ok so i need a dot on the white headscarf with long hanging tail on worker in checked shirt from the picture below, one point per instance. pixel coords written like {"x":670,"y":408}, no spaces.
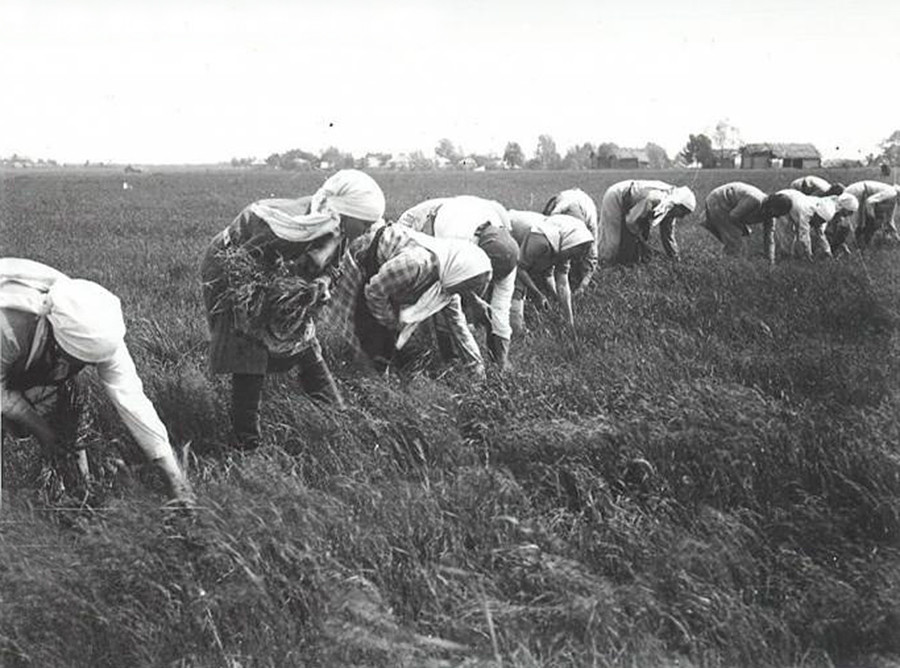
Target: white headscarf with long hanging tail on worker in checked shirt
{"x":458,"y":261}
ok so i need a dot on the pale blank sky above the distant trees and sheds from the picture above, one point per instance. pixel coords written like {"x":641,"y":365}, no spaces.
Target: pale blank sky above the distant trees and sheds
{"x":169,"y":81}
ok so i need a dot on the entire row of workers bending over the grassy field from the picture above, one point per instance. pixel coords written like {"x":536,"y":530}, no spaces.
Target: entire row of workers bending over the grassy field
{"x":284,"y":265}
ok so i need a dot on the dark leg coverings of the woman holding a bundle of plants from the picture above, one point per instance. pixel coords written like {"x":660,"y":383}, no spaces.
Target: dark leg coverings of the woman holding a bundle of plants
{"x":247,"y":388}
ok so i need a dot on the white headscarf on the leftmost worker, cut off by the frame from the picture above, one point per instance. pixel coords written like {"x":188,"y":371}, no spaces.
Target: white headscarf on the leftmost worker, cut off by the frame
{"x":86,"y":318}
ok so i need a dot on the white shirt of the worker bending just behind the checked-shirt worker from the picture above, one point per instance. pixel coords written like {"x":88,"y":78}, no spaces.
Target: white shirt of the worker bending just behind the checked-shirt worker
{"x":426,"y":218}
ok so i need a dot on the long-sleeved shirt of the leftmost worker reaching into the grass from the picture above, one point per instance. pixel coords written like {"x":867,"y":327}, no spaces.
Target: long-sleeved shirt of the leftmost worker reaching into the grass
{"x":117,"y":375}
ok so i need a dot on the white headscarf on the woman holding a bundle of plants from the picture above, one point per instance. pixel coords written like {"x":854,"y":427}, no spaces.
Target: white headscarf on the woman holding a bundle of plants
{"x":349,"y":192}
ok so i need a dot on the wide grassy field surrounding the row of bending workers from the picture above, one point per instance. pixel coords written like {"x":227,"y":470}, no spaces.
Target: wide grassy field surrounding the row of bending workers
{"x":440,"y":523}
